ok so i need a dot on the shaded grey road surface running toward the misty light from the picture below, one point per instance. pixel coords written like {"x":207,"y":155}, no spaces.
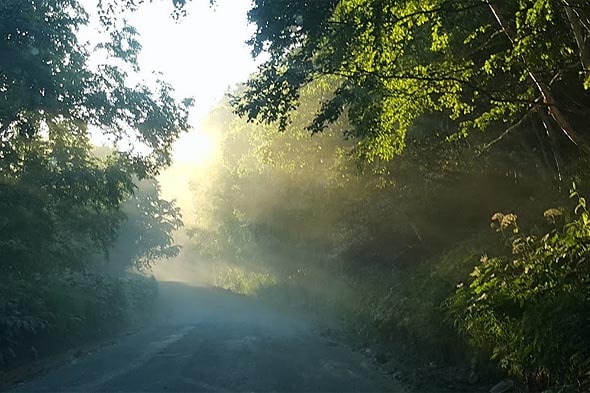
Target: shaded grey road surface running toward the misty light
{"x":210,"y":340}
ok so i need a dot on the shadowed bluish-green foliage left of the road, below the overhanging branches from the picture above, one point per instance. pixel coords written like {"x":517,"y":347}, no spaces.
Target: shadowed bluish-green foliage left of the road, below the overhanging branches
{"x":61,"y":207}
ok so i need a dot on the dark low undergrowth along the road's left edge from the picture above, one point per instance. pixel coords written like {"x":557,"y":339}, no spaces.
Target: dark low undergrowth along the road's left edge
{"x":46,"y":313}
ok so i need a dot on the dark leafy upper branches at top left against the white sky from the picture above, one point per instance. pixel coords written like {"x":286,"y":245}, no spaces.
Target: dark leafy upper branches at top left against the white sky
{"x":45,"y":78}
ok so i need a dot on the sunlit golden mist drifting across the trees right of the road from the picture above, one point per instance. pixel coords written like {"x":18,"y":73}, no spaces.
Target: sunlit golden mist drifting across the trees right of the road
{"x":291,"y":219}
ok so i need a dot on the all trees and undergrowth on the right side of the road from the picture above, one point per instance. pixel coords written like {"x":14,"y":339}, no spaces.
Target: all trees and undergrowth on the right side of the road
{"x":418,"y":169}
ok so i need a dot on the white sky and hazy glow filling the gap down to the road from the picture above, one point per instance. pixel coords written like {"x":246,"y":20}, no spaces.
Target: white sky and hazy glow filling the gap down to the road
{"x":203,"y":55}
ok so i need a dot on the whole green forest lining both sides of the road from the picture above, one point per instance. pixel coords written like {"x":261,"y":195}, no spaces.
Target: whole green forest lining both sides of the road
{"x":415,"y":170}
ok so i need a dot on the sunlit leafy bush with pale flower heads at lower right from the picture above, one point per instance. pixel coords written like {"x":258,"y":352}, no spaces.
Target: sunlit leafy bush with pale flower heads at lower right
{"x":529,"y":308}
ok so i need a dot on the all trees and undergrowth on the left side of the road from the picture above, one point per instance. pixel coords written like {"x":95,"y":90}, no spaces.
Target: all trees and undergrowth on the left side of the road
{"x":79,"y":224}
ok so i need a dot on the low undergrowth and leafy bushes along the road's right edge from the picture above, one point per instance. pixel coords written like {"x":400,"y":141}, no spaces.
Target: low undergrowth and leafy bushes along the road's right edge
{"x":525,"y":311}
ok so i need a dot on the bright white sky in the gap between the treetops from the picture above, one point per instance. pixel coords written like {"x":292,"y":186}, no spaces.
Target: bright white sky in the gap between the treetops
{"x":201,"y":56}
